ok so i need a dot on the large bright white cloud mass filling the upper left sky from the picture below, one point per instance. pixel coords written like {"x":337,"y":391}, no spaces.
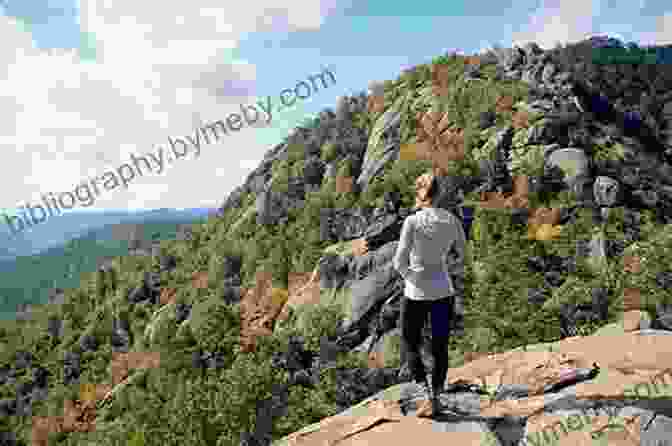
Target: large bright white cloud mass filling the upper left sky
{"x":159,"y":71}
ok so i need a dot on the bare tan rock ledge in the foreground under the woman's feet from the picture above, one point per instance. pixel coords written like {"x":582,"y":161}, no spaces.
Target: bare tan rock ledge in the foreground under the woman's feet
{"x":576,"y":391}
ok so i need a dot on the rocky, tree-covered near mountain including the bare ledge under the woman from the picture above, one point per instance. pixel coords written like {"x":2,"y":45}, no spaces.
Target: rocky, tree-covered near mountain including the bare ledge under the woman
{"x":276,"y":322}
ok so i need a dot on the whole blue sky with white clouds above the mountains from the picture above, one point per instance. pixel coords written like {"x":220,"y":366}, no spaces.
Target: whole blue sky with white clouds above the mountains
{"x":93,"y":82}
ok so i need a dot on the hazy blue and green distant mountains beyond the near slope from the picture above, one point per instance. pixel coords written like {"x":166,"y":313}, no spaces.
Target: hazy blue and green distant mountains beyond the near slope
{"x":43,"y":259}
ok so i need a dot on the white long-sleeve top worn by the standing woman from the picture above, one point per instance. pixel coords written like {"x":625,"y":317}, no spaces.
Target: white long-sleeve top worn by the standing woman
{"x":431,"y":251}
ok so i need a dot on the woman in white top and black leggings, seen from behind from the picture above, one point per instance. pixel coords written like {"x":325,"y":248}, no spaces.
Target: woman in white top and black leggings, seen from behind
{"x":430,"y":256}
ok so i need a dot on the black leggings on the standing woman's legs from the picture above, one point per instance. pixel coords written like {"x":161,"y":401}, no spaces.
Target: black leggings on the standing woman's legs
{"x":413,"y":317}
